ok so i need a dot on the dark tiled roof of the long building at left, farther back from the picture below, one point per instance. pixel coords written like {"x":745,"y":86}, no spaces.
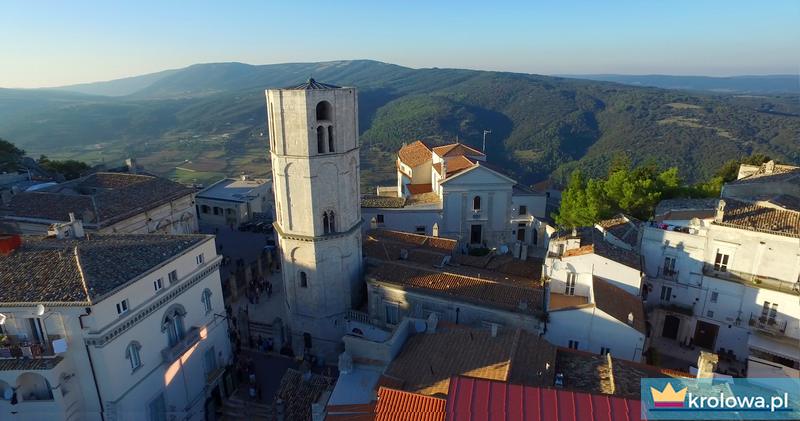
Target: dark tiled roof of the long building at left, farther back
{"x":98,"y":199}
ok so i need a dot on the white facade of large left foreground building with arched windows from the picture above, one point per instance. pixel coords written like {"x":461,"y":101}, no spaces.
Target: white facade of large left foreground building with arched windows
{"x":97,"y":371}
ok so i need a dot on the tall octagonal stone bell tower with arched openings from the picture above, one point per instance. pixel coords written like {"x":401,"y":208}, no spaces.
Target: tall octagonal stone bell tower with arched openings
{"x":313,"y":132}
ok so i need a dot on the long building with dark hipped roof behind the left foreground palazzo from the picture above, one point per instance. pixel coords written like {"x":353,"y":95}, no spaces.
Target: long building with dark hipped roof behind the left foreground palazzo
{"x":107,"y":203}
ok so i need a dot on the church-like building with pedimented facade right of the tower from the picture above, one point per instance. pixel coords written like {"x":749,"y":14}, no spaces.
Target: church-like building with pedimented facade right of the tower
{"x":450,"y":191}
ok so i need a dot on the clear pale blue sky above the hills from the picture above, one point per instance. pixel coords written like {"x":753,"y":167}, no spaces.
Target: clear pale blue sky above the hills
{"x":50,"y":43}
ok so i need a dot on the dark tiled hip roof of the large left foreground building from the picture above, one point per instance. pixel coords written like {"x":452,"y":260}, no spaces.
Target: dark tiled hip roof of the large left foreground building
{"x":51,"y":270}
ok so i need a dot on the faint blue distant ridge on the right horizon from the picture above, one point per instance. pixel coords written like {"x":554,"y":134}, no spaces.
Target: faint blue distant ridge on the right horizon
{"x":766,"y":84}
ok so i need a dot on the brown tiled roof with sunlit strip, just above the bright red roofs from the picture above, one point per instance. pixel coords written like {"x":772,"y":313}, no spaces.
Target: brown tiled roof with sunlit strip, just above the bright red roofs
{"x":428,"y":361}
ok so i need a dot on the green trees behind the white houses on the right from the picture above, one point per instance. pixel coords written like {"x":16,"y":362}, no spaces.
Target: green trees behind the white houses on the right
{"x":635,"y":191}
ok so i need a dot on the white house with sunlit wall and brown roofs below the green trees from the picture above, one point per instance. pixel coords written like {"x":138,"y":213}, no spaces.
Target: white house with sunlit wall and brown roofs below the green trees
{"x":594,"y":278}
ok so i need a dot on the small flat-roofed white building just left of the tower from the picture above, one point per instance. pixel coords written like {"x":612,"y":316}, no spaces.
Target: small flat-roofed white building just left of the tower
{"x":234,"y":201}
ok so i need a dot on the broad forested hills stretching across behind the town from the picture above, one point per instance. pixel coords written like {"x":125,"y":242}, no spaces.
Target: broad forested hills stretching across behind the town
{"x":208,"y":120}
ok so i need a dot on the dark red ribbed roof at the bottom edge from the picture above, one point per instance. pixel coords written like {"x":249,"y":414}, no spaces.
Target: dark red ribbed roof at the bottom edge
{"x":478,"y":399}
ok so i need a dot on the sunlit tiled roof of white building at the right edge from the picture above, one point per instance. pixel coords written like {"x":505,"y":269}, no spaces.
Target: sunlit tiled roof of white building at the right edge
{"x":753,"y":217}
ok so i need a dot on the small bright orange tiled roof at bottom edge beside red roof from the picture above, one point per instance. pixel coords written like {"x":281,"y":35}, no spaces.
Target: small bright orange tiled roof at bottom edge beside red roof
{"x":400,"y":405}
